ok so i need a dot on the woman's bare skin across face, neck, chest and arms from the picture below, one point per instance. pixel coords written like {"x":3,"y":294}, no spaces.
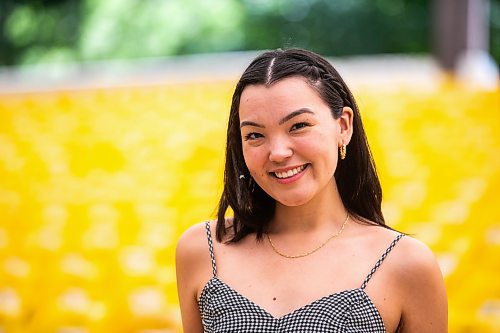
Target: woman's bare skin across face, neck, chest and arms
{"x":284,"y":126}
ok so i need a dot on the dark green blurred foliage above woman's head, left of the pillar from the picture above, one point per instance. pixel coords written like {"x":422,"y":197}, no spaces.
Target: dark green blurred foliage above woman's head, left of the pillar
{"x":341,"y":27}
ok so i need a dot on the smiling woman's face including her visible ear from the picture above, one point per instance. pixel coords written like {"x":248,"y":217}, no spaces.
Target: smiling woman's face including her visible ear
{"x":290,"y":139}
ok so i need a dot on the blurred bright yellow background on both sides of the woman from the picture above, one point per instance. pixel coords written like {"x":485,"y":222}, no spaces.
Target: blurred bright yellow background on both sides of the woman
{"x":97,"y":184}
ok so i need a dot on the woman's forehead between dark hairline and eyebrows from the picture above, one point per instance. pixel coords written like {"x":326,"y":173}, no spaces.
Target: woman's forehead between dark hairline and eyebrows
{"x":286,"y":95}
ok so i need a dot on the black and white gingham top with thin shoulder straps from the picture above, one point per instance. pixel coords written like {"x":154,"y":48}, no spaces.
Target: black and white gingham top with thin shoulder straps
{"x":351,"y":311}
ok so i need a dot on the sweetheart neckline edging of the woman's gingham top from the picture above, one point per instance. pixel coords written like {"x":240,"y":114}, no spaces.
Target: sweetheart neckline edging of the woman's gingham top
{"x":308,"y":305}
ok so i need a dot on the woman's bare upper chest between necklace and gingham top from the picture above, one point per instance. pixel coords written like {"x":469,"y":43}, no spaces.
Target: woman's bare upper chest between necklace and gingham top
{"x":281,"y":285}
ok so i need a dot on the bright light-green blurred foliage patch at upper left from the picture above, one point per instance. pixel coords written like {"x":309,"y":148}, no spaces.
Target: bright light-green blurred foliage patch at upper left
{"x":131,"y":28}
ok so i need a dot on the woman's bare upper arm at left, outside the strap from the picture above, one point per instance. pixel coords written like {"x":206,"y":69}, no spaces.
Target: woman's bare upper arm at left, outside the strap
{"x":192,"y":262}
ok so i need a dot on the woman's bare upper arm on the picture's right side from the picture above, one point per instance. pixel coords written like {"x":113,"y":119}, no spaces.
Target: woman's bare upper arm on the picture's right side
{"x":424,"y":306}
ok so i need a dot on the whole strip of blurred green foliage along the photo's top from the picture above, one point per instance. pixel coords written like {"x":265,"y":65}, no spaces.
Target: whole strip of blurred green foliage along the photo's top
{"x":40,"y":31}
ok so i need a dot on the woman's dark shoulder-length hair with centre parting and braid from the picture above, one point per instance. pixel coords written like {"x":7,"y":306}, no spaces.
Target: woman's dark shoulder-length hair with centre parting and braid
{"x":356,"y":176}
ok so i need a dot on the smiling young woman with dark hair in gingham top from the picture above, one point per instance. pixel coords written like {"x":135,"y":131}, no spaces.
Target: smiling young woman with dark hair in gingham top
{"x":307,"y":248}
